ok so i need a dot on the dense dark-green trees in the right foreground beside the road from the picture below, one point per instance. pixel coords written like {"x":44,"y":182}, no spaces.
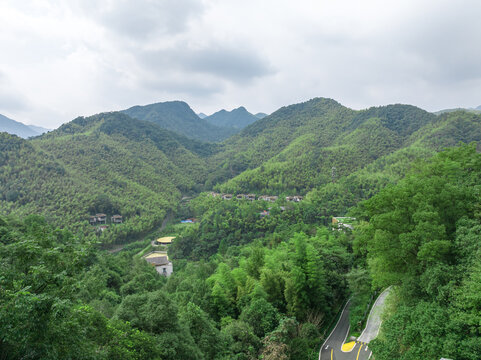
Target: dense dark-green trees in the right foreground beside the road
{"x":423,"y":238}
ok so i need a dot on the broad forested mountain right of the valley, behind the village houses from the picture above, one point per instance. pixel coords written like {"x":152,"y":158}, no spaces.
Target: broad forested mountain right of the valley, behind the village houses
{"x":324,"y":146}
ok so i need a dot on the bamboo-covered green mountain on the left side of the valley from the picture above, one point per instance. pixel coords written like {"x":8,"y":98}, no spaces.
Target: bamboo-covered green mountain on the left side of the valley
{"x":107,"y":163}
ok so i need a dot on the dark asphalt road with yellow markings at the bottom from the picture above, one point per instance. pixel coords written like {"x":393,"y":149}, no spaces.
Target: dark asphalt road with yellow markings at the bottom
{"x":331,"y":349}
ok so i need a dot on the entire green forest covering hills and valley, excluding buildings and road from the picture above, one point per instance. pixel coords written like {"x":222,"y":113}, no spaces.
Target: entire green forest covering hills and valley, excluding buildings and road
{"x":252,"y":279}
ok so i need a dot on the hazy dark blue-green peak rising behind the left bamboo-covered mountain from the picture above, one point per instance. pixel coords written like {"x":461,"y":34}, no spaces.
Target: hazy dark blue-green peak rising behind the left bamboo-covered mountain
{"x":177,"y":116}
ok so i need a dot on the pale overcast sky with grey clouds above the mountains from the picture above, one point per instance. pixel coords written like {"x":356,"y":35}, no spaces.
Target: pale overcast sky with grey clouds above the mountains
{"x":68,"y":58}
